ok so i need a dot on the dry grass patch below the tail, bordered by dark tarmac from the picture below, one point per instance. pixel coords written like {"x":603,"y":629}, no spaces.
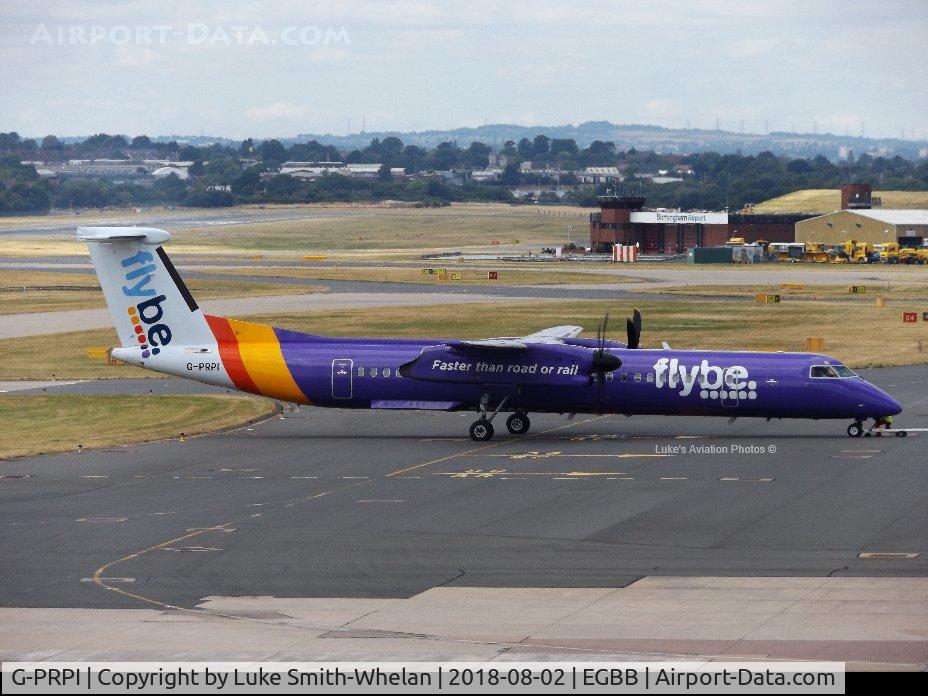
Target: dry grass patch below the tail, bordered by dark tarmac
{"x":100,"y":421}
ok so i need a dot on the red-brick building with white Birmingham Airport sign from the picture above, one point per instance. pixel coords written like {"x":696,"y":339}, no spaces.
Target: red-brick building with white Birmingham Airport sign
{"x":624,"y":220}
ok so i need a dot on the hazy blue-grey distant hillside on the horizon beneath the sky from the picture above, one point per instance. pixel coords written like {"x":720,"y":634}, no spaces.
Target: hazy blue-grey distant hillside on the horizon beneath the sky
{"x":643,"y":137}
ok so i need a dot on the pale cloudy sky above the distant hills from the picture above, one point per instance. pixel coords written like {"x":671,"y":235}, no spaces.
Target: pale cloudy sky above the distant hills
{"x":278,"y":68}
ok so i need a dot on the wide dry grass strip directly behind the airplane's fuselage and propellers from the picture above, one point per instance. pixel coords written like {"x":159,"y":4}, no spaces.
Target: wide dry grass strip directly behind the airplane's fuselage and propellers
{"x":855,"y":331}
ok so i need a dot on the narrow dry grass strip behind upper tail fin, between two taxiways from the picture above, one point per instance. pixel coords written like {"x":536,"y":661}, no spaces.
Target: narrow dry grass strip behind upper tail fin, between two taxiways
{"x":43,"y":291}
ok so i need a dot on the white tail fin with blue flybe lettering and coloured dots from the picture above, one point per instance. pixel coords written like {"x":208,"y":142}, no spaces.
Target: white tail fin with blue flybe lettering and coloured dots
{"x":150,"y":304}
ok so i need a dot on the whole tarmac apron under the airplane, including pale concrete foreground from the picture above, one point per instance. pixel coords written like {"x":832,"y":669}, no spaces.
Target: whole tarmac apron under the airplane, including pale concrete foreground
{"x":383,"y":535}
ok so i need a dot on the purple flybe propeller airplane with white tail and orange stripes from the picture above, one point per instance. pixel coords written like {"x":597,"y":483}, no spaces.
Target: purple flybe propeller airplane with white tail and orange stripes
{"x":161,"y":328}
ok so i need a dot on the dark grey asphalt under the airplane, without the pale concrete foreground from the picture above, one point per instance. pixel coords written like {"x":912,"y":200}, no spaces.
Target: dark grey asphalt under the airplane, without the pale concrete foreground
{"x":370,"y":504}
